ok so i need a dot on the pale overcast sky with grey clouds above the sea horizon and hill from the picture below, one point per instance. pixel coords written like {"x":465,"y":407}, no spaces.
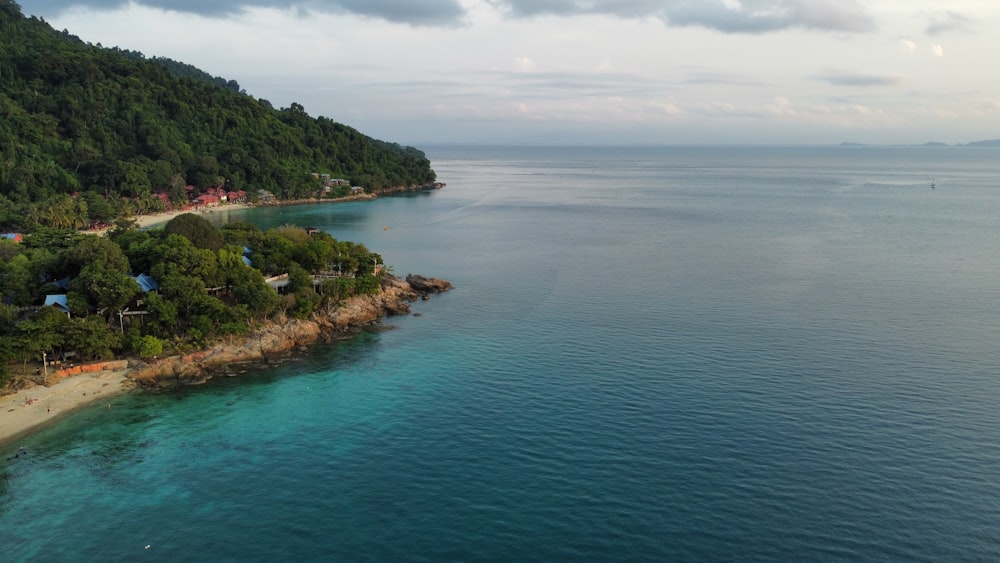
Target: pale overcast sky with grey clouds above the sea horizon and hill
{"x":588,"y":71}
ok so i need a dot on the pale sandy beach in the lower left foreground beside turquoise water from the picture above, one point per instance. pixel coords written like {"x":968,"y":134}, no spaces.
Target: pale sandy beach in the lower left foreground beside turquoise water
{"x":28,"y":409}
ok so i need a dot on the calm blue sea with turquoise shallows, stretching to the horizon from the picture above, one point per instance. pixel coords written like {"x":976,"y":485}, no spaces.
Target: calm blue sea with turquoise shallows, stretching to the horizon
{"x":654,"y":354}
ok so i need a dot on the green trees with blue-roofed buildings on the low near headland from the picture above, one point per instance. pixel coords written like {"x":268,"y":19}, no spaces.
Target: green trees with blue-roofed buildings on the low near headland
{"x":204,"y":291}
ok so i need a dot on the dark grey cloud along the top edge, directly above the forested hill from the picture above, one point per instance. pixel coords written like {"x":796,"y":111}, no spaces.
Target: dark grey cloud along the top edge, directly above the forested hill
{"x":414,"y":12}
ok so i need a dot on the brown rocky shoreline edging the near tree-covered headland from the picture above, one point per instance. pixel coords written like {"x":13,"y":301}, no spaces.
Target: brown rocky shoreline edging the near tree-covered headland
{"x":283,"y":335}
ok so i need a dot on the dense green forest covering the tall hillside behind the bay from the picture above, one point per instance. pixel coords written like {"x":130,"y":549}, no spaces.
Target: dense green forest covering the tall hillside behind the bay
{"x":89,"y":134}
